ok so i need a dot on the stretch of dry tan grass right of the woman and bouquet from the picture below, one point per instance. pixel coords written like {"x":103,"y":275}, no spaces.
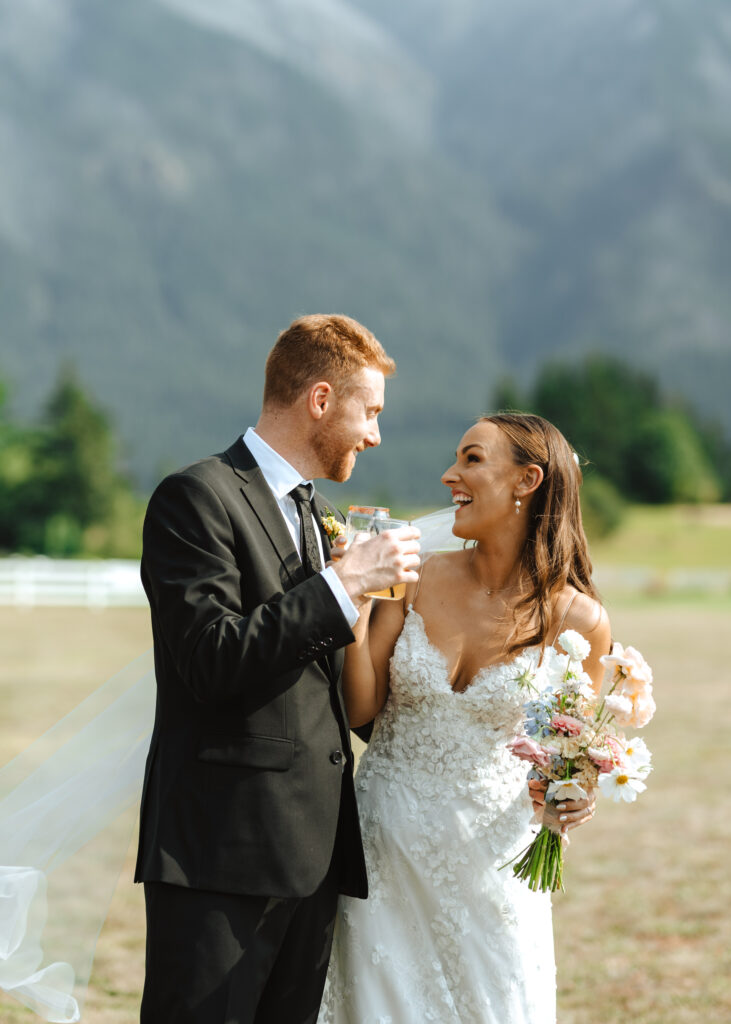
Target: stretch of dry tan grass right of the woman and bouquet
{"x":643,"y":932}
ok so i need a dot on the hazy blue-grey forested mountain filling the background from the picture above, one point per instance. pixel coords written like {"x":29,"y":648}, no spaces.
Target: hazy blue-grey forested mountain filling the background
{"x":486,"y":185}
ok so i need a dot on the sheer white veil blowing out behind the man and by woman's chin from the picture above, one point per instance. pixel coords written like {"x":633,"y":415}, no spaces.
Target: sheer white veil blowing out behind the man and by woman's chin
{"x":68,"y":807}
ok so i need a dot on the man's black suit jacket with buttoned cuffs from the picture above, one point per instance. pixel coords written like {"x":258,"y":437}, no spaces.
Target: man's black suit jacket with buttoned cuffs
{"x":244,"y":777}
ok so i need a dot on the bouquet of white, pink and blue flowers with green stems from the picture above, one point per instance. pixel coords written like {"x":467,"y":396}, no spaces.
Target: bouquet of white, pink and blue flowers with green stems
{"x":574,"y":739}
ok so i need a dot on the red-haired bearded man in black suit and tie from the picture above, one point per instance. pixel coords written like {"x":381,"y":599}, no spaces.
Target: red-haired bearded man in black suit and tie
{"x":249,"y":827}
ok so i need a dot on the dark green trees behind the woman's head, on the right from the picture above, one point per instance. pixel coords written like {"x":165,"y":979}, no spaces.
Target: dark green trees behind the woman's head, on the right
{"x":635,"y":443}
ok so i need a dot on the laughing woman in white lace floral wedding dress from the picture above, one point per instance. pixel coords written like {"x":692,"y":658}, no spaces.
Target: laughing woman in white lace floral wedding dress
{"x":447,"y":935}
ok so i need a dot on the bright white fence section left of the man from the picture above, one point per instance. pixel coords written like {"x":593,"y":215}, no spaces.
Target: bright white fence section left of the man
{"x":38,"y":581}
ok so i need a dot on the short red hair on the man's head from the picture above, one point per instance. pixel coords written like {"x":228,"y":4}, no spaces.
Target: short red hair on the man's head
{"x":321,"y":348}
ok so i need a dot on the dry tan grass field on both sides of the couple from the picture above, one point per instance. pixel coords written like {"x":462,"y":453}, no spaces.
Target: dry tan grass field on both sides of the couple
{"x":643,"y":933}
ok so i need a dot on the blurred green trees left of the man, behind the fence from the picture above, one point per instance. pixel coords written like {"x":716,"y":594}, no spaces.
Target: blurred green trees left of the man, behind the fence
{"x":61,"y":491}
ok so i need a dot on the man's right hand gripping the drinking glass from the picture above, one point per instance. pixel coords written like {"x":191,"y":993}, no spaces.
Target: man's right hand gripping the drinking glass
{"x":379,"y":563}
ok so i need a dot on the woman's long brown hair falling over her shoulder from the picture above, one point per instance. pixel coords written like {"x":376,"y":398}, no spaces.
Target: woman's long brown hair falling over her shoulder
{"x":556,"y":552}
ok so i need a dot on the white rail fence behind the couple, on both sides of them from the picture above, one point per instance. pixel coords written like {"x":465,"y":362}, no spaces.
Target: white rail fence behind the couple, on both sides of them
{"x":31,"y":582}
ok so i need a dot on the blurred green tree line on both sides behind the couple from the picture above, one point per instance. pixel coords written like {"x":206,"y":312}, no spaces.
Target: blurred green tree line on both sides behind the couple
{"x":62,"y":493}
